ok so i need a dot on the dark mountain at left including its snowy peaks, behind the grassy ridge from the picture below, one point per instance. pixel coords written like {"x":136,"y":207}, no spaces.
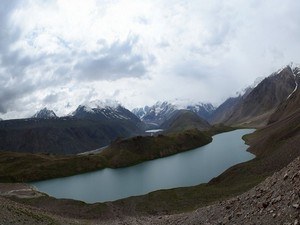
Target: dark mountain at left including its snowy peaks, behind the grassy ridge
{"x":89,"y":127}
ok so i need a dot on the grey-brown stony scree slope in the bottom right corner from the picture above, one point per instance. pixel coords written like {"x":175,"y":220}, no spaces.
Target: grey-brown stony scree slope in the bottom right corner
{"x":275,"y":201}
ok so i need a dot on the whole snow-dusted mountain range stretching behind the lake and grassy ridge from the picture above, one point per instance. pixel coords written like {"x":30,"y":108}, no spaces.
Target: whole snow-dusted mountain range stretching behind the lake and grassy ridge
{"x":96,"y":124}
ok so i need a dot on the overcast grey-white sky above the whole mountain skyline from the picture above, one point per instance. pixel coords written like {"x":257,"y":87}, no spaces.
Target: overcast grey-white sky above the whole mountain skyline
{"x":62,"y":53}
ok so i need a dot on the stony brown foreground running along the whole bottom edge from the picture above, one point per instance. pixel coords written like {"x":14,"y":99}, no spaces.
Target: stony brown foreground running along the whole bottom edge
{"x":275,"y":201}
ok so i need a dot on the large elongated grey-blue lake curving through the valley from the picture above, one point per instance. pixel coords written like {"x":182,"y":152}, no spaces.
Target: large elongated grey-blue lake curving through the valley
{"x":181,"y":170}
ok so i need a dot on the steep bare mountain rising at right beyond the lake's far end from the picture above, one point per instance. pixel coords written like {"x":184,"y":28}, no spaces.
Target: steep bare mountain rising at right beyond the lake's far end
{"x":255,"y":106}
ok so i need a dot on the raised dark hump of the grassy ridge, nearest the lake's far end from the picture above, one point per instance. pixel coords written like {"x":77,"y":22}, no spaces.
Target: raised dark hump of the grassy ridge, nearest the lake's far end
{"x":142,"y":148}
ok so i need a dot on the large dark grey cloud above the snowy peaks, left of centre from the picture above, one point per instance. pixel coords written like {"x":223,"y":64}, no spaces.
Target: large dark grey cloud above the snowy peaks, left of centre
{"x":112,"y":62}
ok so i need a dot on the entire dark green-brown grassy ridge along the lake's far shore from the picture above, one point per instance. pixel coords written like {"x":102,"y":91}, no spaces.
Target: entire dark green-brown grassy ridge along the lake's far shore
{"x":24,"y":167}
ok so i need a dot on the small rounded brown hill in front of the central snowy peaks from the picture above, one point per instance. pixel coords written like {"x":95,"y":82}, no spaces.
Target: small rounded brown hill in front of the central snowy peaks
{"x":184,"y":120}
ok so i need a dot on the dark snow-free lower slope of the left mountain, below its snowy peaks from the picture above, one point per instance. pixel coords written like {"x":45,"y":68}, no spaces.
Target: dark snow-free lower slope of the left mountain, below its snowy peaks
{"x":64,"y":135}
